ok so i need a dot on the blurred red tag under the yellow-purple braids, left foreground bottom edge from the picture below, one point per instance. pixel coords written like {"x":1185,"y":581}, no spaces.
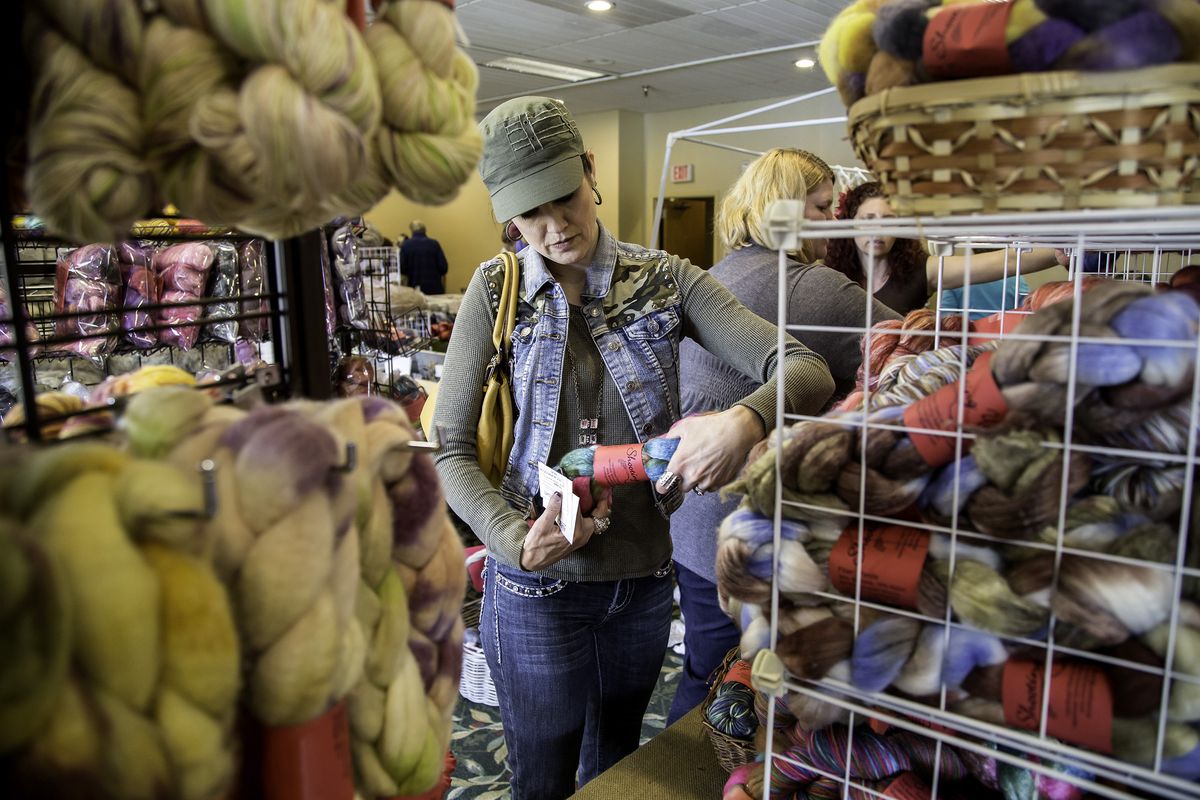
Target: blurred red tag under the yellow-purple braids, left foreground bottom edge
{"x":310,"y":761}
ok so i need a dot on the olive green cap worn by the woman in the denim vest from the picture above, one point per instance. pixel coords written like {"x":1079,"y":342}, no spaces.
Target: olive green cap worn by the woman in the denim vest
{"x":532,"y":153}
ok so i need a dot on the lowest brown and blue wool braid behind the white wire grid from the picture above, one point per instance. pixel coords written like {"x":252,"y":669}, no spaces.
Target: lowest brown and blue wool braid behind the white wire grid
{"x":915,"y":659}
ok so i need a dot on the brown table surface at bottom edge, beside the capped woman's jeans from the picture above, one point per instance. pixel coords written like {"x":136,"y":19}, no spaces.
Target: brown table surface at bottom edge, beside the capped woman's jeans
{"x":677,"y":763}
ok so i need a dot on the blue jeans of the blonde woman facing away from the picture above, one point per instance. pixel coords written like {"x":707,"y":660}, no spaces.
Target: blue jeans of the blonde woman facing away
{"x":709,"y":636}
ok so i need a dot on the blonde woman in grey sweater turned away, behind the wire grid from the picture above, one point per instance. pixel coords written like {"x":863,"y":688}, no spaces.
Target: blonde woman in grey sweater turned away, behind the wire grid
{"x":817,"y":296}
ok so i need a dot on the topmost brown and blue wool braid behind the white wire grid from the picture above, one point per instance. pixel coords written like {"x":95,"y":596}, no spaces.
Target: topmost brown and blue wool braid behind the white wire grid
{"x":1115,"y":387}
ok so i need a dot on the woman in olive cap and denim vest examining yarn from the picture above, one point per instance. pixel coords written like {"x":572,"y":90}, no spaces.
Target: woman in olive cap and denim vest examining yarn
{"x":575,"y":631}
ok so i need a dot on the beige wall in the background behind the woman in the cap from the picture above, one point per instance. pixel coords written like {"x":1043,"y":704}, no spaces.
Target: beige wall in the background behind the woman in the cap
{"x":629,"y":151}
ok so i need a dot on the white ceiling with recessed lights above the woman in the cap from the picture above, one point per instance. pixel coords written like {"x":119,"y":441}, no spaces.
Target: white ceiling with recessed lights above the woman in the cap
{"x":653,"y":51}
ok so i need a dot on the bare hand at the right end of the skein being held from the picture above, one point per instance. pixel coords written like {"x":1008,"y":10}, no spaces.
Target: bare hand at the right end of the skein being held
{"x":712,"y":449}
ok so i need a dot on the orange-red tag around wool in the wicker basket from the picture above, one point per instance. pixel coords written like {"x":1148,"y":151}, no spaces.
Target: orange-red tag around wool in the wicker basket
{"x":968,"y":41}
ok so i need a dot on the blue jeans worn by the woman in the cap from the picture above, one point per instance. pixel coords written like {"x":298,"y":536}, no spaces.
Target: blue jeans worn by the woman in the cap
{"x":574,"y":666}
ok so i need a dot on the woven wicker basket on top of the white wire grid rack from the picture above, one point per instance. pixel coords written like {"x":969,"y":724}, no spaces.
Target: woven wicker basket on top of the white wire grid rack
{"x":1051,"y":141}
